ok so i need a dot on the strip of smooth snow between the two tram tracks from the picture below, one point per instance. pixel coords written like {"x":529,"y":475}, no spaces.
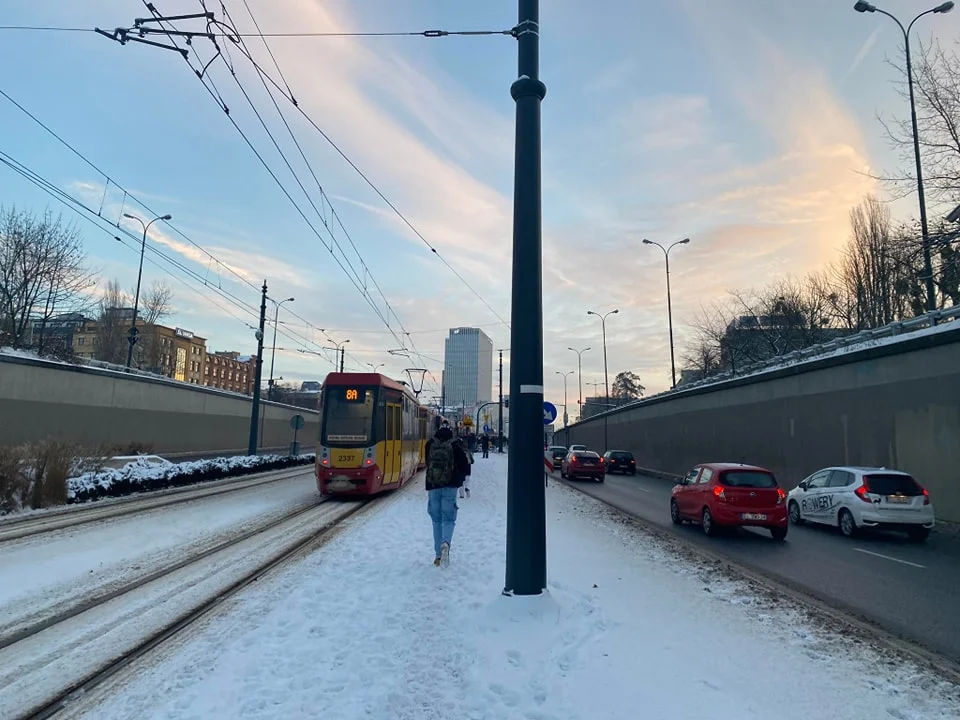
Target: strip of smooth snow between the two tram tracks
{"x":40,"y":573}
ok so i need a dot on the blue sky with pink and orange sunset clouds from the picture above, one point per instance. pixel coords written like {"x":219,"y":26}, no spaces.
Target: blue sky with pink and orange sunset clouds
{"x":750,"y":128}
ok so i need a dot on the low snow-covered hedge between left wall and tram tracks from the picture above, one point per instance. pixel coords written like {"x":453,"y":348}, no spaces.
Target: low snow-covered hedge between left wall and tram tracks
{"x":145,"y":476}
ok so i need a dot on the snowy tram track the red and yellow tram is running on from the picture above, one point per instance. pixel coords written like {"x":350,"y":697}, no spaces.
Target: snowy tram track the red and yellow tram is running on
{"x":70,"y":656}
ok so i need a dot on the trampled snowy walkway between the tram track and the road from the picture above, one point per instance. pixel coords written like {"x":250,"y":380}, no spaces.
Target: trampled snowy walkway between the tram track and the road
{"x":369,"y":628}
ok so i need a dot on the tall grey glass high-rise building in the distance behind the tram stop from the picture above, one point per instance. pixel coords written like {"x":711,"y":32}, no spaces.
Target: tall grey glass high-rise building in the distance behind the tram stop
{"x":467,"y":367}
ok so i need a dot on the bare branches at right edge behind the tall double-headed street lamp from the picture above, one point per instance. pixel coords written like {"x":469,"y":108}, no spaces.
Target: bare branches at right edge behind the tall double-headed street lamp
{"x":936,"y":73}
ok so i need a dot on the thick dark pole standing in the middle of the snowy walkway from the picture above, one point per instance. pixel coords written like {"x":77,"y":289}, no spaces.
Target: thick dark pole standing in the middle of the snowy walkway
{"x":526,"y":562}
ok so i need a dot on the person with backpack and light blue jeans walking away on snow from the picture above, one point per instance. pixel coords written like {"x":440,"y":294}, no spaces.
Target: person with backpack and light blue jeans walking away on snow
{"x":444,"y":459}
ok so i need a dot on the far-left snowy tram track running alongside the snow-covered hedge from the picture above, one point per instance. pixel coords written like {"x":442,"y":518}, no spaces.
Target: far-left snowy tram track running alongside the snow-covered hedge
{"x":75,"y":516}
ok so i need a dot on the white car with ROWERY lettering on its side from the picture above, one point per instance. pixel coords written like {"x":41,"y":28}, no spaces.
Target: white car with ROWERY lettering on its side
{"x":853,"y":498}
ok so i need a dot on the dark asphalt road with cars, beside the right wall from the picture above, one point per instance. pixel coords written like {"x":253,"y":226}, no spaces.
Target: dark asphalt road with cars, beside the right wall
{"x":908,"y":589}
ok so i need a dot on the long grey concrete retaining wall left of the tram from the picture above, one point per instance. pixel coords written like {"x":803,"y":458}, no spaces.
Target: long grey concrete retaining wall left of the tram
{"x":41,"y":399}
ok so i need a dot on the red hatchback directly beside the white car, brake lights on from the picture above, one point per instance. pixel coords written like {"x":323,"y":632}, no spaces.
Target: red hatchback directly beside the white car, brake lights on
{"x":717,"y":495}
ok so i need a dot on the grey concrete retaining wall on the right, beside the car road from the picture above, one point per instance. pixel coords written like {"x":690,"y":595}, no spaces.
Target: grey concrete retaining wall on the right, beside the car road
{"x":895,"y":405}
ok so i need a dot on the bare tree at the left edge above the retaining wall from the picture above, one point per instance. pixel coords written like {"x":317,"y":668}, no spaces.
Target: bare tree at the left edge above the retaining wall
{"x":42,"y":272}
